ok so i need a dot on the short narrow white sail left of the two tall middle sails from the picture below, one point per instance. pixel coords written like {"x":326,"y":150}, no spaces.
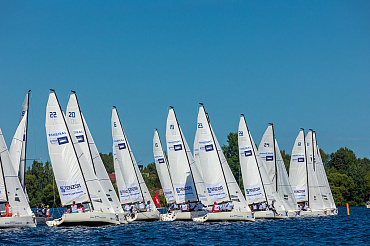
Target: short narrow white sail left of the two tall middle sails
{"x":162,"y":169}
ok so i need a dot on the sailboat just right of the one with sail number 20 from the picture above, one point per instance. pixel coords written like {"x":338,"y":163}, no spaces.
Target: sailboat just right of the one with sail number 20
{"x":130,"y":172}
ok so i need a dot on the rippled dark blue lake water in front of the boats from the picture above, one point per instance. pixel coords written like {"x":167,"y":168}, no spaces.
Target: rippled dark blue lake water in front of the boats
{"x":333,"y":230}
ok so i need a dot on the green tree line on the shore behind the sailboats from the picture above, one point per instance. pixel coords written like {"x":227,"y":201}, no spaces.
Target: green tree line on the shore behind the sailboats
{"x":348,"y":176}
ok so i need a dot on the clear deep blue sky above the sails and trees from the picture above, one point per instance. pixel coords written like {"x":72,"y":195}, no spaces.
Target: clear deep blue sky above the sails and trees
{"x":294,"y":63}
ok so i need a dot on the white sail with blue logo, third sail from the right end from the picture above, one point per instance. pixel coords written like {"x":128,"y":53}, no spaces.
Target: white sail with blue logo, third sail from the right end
{"x":298,"y":169}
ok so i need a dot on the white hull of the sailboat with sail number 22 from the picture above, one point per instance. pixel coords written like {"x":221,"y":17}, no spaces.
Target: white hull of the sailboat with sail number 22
{"x":85,"y":219}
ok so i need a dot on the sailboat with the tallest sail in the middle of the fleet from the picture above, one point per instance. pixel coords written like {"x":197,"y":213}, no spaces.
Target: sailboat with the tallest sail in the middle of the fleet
{"x":220,"y":182}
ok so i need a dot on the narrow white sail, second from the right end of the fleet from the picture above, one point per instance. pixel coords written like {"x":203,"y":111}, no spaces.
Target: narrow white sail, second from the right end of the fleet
{"x":315,"y":198}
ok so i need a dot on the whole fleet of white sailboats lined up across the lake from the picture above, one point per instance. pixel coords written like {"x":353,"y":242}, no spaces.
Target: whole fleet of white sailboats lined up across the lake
{"x":201,"y":182}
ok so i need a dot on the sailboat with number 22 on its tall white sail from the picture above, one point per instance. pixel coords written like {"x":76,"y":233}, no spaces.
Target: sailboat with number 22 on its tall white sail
{"x":74,"y":175}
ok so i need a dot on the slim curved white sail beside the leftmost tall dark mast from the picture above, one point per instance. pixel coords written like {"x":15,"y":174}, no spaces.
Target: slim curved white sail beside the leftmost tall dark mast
{"x":18,"y":141}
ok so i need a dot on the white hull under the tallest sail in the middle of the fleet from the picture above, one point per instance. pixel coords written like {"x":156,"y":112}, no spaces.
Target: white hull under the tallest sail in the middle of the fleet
{"x":225,"y":216}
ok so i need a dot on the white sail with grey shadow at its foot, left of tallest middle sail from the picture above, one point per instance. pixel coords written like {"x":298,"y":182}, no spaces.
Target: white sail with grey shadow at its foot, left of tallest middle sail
{"x":187,"y":180}
